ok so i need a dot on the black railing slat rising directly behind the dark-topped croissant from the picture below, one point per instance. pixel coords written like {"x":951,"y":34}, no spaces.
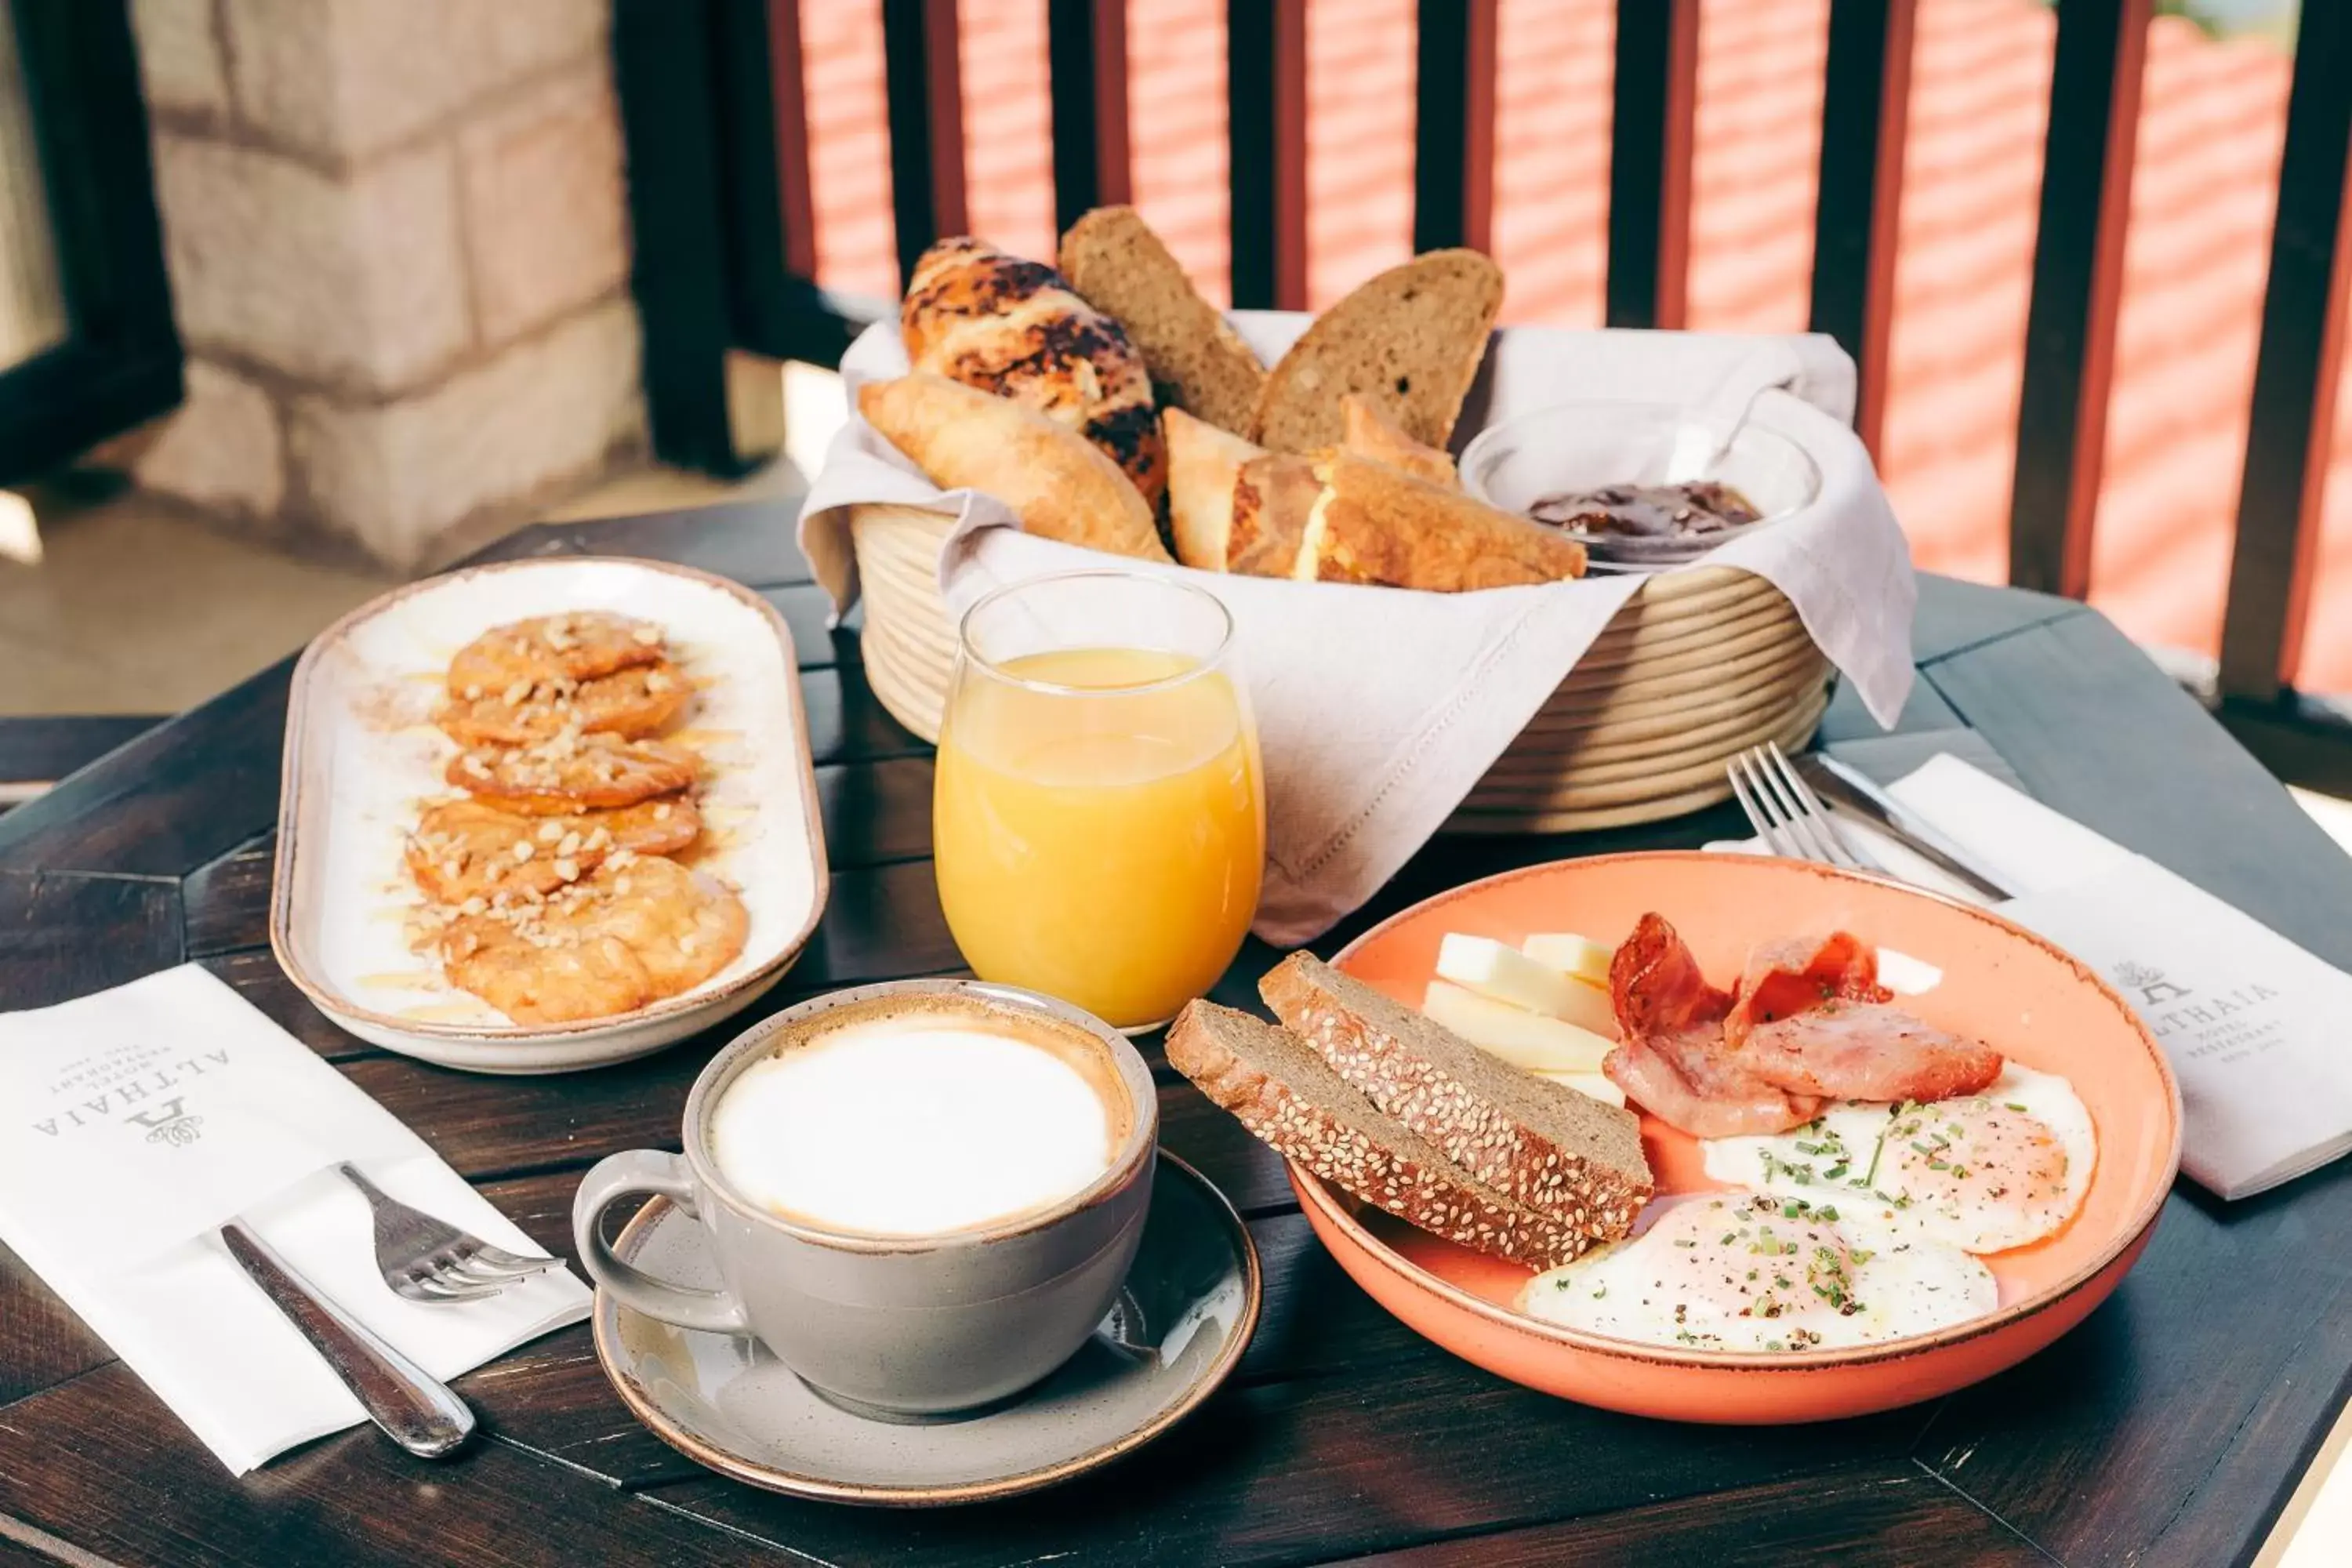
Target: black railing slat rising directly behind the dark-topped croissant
{"x":926,"y":126}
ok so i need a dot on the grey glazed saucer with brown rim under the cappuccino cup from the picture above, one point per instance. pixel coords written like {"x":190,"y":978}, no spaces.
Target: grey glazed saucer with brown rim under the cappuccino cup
{"x":726,"y":1402}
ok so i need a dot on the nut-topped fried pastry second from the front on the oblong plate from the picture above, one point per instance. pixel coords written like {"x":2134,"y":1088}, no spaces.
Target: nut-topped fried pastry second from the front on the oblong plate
{"x":465,"y":850}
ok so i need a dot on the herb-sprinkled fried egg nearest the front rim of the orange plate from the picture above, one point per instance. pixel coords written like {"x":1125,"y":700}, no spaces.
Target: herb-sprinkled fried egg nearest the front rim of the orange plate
{"x":1751,"y":1271}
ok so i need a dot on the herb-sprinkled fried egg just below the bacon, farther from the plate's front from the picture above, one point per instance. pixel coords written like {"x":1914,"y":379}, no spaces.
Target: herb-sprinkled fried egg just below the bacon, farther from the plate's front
{"x":1982,"y":1172}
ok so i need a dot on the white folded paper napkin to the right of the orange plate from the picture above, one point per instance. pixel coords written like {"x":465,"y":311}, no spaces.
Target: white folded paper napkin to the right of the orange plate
{"x":2250,"y":1021}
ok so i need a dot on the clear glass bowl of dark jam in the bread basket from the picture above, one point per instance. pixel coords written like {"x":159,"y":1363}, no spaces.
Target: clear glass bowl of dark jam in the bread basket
{"x":1601,"y":474}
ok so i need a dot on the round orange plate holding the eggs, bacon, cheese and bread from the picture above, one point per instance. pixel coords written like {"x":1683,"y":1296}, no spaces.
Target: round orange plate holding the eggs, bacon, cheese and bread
{"x":2000,"y":984}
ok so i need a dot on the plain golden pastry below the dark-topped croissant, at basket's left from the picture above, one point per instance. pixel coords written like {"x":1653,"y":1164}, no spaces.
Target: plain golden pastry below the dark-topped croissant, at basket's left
{"x":1048,"y":474}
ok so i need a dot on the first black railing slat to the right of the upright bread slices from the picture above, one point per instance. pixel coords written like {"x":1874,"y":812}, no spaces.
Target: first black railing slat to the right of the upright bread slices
{"x":1650,"y":161}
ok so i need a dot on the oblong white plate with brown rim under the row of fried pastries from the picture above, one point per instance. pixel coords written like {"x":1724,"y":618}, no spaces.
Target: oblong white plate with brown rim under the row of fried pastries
{"x":363,"y":760}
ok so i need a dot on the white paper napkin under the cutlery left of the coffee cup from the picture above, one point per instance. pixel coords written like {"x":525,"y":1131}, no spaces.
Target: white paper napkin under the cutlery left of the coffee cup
{"x":145,"y":1118}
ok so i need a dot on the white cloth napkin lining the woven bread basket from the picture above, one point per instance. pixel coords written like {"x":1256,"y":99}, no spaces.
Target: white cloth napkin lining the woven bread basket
{"x":1377,"y":709}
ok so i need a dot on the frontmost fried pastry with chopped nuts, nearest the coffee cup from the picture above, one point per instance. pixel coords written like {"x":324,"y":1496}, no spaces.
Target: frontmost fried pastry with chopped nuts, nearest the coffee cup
{"x":629,"y":934}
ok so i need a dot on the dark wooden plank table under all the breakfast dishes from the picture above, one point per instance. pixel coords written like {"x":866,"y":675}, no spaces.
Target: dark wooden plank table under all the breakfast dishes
{"x":2167,"y":1430}
